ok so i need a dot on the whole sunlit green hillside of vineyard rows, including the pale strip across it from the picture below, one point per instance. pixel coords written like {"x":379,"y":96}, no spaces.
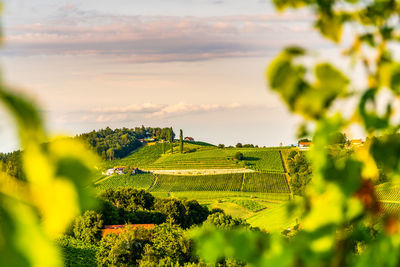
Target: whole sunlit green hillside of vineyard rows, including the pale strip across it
{"x":249,"y":188}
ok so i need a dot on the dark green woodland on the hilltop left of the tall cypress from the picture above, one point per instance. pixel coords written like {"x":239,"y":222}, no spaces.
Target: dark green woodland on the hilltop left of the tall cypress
{"x":112,"y":144}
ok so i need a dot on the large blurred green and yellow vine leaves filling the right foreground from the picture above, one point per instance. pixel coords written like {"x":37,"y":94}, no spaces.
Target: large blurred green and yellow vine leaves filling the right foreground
{"x":342,"y":219}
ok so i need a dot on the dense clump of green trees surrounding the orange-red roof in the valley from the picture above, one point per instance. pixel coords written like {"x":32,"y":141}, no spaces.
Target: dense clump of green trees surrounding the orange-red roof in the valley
{"x":167,"y":244}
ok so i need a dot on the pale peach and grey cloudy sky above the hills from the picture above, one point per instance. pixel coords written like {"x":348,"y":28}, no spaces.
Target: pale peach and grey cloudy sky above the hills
{"x":196,"y":65}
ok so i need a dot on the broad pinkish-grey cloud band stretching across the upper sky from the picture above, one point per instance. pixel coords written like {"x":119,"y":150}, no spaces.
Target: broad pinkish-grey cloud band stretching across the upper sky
{"x":159,"y":38}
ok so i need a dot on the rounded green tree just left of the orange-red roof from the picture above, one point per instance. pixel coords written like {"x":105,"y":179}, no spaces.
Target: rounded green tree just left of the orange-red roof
{"x":88,"y":227}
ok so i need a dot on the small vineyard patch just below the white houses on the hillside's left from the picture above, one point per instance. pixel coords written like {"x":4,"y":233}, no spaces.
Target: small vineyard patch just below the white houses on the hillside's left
{"x":140,"y":181}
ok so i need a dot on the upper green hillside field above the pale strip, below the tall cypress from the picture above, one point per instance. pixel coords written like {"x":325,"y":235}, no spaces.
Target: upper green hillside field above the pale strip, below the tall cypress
{"x":200,"y":155}
